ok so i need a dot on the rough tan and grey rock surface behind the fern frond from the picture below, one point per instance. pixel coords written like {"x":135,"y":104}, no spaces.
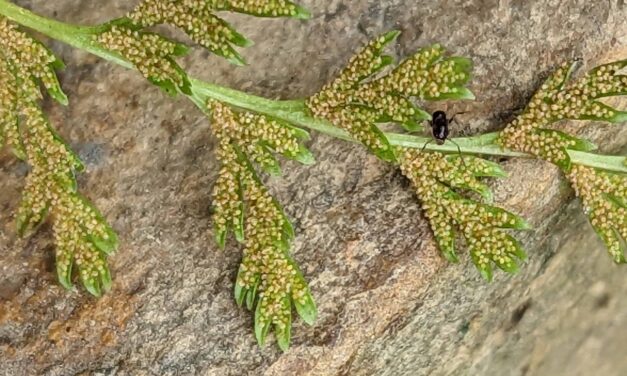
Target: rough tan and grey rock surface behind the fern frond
{"x":388,"y":303}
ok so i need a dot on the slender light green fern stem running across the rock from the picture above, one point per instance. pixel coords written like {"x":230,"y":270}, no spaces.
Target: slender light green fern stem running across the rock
{"x":292,"y":111}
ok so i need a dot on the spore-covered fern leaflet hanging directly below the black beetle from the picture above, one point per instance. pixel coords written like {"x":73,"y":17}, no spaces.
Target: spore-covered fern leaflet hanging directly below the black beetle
{"x":438,"y":180}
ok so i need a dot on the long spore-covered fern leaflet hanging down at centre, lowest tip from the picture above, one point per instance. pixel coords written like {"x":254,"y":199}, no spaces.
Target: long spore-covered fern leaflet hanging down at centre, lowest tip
{"x":268,"y":281}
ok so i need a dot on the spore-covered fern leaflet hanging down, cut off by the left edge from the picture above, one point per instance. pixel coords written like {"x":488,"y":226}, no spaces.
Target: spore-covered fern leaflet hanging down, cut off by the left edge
{"x":83,"y":238}
